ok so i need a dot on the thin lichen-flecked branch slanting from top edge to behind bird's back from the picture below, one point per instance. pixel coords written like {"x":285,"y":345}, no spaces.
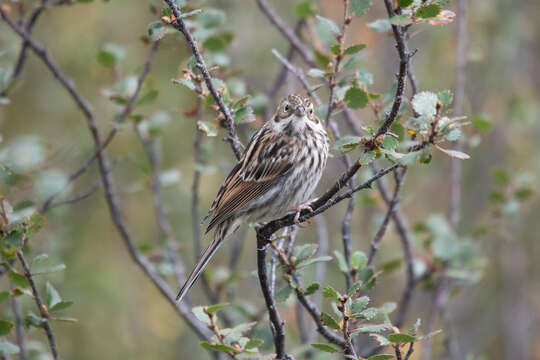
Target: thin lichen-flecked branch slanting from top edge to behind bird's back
{"x":180,"y":25}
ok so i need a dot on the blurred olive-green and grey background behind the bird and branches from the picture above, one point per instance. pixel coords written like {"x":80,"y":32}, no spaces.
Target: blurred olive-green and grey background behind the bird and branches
{"x":120,"y":313}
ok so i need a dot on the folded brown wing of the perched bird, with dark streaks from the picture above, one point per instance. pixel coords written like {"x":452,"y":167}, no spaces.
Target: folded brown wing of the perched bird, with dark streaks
{"x":266,"y":159}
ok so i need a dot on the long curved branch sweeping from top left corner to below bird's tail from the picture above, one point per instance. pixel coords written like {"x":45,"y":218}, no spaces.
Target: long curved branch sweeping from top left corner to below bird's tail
{"x":110,"y":193}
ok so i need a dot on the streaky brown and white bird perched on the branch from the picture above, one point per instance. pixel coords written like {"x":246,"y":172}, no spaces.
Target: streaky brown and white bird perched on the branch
{"x":277,"y":174}
